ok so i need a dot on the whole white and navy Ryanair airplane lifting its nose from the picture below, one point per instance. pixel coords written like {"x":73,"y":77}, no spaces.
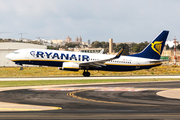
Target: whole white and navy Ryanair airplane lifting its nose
{"x":75,"y":61}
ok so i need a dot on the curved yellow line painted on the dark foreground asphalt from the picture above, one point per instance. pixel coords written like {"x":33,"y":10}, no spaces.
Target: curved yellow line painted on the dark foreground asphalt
{"x":72,"y":94}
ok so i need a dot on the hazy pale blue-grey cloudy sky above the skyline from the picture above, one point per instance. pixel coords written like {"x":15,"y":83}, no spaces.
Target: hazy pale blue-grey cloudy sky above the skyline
{"x":122,"y":20}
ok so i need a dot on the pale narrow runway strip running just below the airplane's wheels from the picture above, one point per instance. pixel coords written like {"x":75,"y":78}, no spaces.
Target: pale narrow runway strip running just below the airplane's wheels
{"x":91,"y":78}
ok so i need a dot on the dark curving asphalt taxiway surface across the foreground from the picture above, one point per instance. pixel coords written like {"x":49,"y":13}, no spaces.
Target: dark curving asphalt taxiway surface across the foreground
{"x":102,"y":101}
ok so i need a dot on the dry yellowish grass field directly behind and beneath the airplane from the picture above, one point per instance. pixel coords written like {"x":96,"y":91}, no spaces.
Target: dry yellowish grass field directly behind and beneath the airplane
{"x":15,"y":72}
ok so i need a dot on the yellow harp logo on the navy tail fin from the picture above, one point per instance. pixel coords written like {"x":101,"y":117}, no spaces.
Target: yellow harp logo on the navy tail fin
{"x":156,"y":46}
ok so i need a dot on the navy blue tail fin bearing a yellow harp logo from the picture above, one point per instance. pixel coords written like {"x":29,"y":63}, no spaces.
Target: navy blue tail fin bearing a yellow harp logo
{"x":155,"y":48}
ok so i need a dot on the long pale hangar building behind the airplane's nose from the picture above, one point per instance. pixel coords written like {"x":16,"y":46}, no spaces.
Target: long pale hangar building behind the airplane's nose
{"x":9,"y":47}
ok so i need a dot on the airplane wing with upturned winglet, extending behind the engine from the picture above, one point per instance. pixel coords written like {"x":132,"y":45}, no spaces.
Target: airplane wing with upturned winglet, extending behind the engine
{"x":100,"y":63}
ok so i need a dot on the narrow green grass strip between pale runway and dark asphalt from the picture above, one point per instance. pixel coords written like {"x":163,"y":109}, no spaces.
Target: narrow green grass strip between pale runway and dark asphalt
{"x":62,"y":82}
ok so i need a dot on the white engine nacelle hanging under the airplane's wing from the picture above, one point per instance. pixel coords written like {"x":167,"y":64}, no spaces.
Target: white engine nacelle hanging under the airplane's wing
{"x":70,"y":66}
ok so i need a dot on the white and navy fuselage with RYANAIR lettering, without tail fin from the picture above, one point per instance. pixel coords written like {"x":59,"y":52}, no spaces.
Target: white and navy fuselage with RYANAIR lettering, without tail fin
{"x":57,"y":58}
